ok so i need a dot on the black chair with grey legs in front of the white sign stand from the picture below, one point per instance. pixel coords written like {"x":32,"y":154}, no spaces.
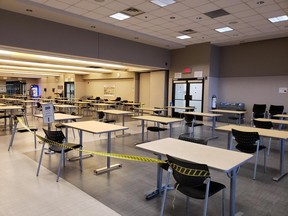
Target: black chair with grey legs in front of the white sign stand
{"x":58,"y":137}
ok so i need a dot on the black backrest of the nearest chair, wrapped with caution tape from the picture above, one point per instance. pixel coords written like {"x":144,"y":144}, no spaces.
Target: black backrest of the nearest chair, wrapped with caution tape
{"x":198,"y":173}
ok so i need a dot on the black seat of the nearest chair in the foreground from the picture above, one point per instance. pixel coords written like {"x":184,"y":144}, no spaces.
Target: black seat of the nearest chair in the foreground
{"x":199,"y":192}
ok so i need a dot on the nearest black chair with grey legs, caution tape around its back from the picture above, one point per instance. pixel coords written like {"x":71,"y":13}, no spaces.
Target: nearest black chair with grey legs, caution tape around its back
{"x":197,"y":184}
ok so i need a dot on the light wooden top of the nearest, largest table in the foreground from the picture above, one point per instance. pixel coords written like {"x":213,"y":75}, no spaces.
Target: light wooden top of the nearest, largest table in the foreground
{"x":217,"y":158}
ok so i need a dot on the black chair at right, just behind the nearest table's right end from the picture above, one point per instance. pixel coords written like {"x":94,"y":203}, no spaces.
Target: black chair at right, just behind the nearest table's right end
{"x":249,"y":142}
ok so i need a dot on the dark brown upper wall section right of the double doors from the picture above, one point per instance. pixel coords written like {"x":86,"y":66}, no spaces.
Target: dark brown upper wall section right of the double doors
{"x":262,"y":58}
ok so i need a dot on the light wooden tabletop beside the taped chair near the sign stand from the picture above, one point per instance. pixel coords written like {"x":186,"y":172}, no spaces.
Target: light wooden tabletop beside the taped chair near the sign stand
{"x":95,"y":126}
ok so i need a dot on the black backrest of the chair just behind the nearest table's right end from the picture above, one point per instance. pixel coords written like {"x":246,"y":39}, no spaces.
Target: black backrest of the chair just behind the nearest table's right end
{"x":243,"y":137}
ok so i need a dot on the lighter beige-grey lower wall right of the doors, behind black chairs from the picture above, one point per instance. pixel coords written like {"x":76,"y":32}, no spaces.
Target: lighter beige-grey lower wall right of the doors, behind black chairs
{"x":251,"y":90}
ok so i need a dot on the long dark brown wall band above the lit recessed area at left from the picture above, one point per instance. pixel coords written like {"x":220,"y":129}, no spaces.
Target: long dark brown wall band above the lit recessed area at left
{"x":18,"y":30}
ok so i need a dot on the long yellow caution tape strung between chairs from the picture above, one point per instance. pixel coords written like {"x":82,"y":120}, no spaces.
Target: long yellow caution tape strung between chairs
{"x":182,"y":170}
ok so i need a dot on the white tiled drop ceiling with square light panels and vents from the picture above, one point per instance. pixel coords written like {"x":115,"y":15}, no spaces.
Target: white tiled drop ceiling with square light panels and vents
{"x":159,"y":26}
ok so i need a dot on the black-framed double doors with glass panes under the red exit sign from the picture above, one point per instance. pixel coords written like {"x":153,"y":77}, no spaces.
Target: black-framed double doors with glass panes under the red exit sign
{"x":186,"y":93}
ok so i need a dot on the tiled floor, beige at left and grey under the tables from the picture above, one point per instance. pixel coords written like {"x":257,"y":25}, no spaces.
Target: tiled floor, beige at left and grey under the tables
{"x":123,"y":190}
